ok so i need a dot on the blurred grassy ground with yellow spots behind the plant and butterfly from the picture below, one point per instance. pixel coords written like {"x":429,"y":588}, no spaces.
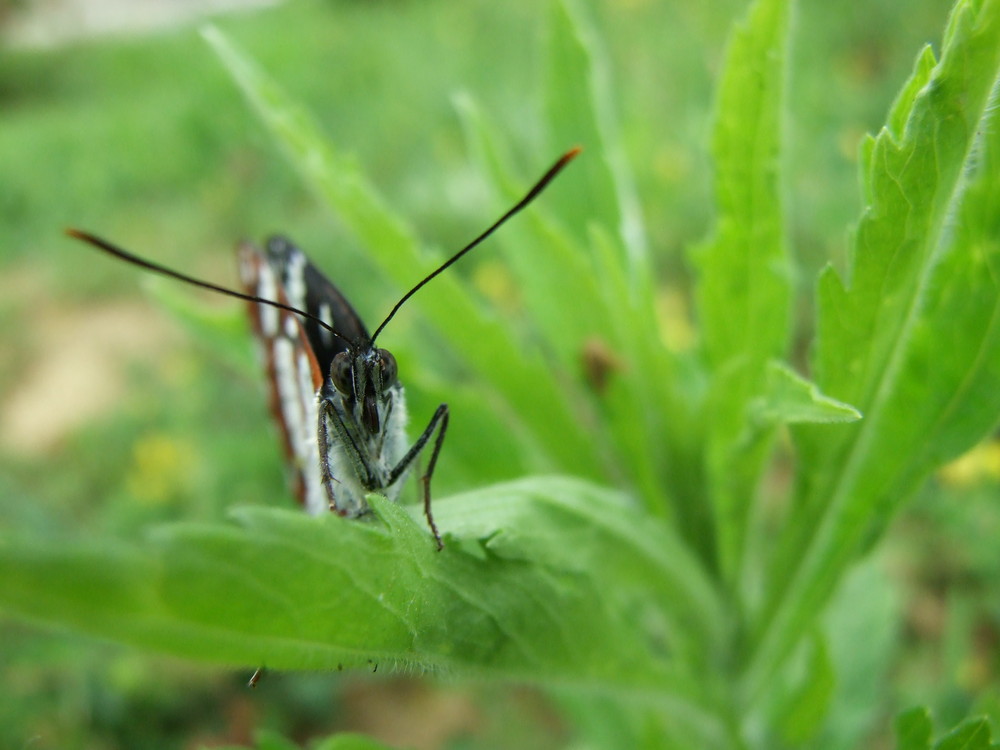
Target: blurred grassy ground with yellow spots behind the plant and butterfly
{"x":111,"y":418}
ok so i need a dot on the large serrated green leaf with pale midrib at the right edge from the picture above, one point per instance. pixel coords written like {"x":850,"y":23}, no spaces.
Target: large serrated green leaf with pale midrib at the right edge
{"x":913,"y":340}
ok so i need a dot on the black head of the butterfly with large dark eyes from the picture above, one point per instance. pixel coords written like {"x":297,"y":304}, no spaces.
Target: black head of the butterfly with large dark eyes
{"x":364,"y":377}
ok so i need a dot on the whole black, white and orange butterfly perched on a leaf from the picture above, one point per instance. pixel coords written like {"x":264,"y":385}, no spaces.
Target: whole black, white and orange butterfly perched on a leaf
{"x":335,"y":395}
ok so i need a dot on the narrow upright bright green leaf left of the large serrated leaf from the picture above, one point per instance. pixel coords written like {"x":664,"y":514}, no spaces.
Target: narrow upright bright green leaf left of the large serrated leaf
{"x":744,"y":287}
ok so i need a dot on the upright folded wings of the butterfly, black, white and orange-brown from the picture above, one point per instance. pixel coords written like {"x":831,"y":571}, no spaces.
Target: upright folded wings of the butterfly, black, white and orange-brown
{"x":297,"y":354}
